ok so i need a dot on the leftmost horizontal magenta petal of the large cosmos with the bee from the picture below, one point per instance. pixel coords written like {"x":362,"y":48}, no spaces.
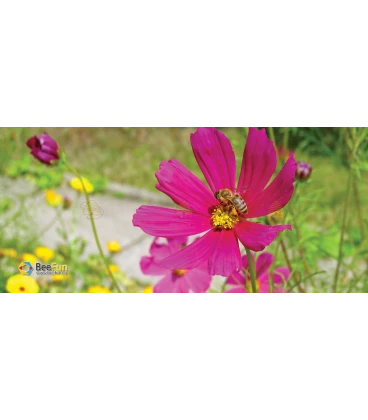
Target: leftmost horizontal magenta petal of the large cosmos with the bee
{"x":160,"y":221}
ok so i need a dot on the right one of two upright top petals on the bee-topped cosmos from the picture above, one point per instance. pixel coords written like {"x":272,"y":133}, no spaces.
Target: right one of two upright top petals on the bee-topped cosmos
{"x":258,"y":165}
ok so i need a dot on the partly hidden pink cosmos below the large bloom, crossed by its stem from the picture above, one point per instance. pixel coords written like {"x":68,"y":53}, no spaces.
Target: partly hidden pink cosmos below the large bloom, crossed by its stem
{"x":242,"y":282}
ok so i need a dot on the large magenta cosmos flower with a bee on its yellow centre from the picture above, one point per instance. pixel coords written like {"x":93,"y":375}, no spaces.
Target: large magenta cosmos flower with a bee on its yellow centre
{"x":203,"y":212}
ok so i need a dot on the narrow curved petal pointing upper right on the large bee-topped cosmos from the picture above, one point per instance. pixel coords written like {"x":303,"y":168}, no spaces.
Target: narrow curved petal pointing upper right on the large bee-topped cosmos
{"x":277,"y":194}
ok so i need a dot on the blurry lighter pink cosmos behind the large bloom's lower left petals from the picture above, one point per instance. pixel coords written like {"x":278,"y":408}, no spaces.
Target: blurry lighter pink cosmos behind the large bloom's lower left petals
{"x":175,"y":281}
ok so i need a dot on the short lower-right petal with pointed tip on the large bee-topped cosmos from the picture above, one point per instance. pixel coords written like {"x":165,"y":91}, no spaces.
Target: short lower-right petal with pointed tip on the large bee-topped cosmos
{"x":256,"y":236}
